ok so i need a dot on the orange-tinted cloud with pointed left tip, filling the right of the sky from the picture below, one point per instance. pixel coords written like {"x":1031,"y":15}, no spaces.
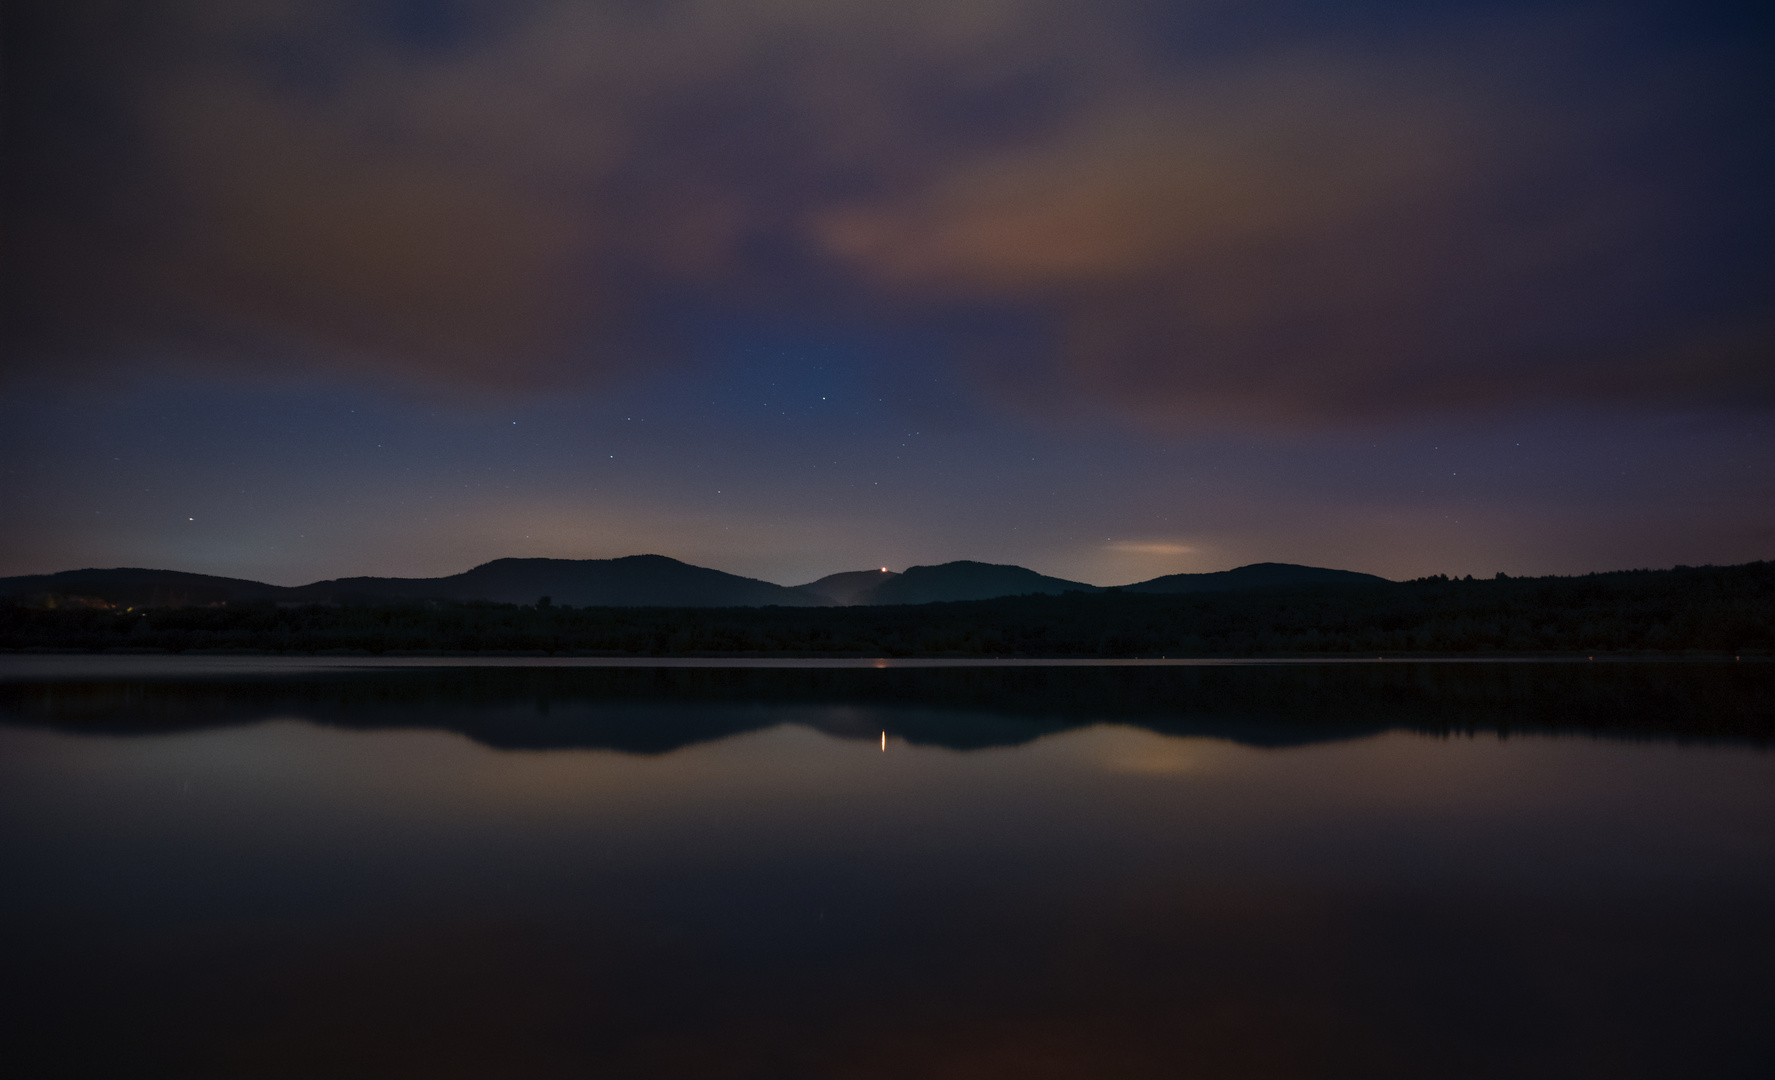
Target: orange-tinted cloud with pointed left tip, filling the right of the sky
{"x":1318,"y":239}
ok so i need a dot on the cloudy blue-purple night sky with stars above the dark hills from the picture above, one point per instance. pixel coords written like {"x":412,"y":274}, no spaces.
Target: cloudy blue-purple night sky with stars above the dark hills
{"x":1107,"y":289}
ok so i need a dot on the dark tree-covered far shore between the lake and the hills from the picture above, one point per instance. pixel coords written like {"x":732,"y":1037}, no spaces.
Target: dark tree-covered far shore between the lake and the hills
{"x":1689,"y":608}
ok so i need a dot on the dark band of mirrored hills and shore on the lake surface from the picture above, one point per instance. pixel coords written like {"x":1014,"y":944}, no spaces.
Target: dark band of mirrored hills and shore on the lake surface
{"x":663,"y":710}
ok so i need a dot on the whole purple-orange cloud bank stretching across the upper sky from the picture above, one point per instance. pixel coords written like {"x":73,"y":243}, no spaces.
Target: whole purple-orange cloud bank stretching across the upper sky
{"x":1172,"y":212}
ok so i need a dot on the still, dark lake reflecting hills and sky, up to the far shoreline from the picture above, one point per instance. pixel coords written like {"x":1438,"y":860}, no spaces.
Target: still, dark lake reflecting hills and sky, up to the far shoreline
{"x":1155,"y":871}
